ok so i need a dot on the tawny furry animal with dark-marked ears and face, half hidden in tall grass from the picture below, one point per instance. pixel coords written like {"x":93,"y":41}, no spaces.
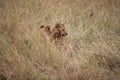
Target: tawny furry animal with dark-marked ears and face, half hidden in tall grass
{"x":56,"y":34}
